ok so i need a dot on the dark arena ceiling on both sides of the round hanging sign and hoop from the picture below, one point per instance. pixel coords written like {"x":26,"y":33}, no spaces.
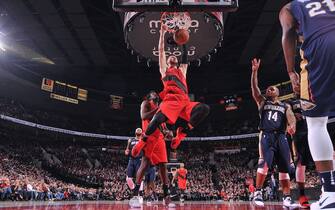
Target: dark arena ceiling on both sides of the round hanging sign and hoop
{"x":84,"y":41}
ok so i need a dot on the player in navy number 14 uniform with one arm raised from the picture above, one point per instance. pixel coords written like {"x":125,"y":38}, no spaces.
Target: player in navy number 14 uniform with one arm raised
{"x":274,"y":117}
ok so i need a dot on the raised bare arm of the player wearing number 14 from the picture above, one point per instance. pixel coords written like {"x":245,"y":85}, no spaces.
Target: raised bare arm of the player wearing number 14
{"x":256,"y":92}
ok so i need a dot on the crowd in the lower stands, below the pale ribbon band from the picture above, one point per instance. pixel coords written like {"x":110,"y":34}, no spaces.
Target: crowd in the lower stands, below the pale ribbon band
{"x":27,"y":172}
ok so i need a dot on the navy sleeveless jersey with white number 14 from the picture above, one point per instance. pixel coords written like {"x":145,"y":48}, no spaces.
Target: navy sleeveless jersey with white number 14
{"x":273,"y":117}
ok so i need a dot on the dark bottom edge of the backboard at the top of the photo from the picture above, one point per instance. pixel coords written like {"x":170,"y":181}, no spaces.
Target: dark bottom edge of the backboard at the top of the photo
{"x":175,"y":5}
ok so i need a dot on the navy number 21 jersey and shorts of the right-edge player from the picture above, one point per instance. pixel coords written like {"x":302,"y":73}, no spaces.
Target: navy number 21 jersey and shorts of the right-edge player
{"x":316,"y":23}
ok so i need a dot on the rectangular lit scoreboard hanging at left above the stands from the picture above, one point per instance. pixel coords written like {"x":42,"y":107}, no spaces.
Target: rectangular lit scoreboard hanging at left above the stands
{"x":64,"y":92}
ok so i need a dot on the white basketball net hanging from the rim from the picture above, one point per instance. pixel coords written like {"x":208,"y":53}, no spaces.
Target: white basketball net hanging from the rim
{"x":176,"y":20}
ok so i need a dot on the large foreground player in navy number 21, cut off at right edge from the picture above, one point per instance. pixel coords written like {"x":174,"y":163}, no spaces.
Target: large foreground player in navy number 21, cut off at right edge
{"x":315,"y":21}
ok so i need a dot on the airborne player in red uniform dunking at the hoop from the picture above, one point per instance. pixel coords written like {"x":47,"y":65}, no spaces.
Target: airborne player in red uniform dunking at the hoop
{"x":175,"y":101}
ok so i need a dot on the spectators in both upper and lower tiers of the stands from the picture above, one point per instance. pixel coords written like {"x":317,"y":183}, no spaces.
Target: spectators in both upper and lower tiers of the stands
{"x":34,"y":167}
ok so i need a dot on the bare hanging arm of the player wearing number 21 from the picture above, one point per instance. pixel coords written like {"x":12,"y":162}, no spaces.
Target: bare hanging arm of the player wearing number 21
{"x":289,"y":43}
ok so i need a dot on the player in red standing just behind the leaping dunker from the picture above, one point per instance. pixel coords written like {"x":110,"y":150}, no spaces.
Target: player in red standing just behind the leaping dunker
{"x":154,"y":151}
